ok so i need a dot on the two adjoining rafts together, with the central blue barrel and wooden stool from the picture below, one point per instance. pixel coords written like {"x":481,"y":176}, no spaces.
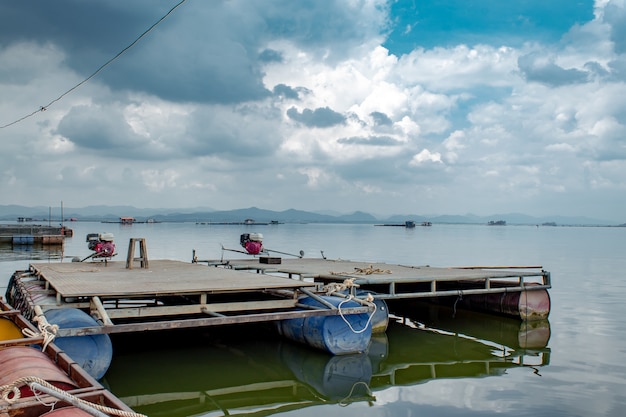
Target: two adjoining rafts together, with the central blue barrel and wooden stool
{"x":332,"y":305}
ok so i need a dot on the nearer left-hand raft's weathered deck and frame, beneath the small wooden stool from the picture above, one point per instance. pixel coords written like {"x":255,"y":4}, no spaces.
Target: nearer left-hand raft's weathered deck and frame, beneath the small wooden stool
{"x":167,"y":295}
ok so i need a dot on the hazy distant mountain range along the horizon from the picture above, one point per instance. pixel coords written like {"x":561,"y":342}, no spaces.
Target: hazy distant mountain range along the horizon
{"x":203,"y":214}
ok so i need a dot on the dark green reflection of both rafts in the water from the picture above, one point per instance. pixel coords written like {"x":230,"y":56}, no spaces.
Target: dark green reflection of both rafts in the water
{"x":250,"y":371}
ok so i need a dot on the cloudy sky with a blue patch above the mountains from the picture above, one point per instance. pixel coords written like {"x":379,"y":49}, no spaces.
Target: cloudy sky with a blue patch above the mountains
{"x":390,"y":107}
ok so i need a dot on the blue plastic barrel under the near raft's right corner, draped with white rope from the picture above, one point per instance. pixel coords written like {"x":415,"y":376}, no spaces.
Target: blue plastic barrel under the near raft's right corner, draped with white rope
{"x":335,"y":334}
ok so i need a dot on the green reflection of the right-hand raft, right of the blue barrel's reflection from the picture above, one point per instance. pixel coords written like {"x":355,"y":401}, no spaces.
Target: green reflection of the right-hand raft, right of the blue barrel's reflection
{"x":468,"y":345}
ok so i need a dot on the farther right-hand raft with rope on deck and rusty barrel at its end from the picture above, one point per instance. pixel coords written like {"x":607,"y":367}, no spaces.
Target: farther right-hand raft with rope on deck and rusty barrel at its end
{"x":519,"y":291}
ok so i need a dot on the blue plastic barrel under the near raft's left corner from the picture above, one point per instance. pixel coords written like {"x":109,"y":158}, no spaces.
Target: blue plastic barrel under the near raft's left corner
{"x":92,"y":352}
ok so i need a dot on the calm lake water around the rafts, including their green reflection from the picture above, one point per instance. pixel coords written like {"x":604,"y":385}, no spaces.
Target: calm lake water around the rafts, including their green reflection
{"x":432,"y":362}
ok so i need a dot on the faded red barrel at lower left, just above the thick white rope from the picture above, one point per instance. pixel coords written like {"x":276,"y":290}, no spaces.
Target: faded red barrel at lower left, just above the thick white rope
{"x":23,"y":361}
